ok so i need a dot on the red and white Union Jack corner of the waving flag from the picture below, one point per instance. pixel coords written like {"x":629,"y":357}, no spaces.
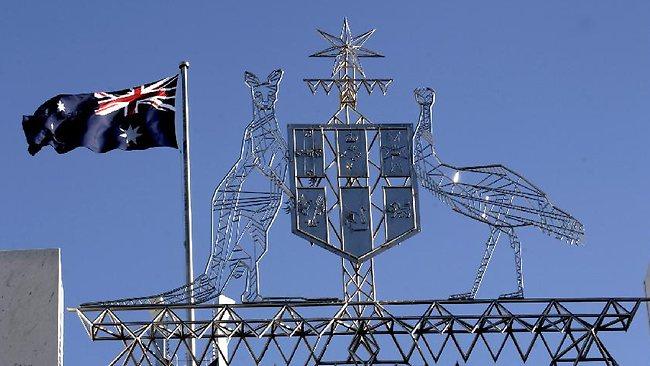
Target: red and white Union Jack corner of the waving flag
{"x":160,"y":95}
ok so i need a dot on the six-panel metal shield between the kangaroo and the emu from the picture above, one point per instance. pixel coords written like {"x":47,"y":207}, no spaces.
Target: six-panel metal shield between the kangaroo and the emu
{"x":354,"y":187}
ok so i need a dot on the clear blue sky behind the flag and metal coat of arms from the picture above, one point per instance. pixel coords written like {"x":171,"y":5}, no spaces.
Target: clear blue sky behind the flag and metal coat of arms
{"x":557,"y":90}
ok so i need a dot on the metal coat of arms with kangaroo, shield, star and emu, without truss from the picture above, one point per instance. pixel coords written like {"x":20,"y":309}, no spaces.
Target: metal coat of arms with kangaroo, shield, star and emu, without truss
{"x":353,"y":187}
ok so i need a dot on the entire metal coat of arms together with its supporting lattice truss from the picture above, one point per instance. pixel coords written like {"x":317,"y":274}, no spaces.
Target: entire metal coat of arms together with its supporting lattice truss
{"x":357,"y":329}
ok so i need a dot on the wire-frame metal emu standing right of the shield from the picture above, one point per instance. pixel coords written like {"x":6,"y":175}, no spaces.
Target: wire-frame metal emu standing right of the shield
{"x":492,"y":194}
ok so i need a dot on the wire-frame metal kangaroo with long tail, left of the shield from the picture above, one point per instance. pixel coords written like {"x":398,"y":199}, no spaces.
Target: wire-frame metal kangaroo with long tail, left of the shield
{"x":244,"y":205}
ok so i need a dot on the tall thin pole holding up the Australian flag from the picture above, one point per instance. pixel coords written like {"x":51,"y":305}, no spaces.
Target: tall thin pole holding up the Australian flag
{"x":184,"y":66}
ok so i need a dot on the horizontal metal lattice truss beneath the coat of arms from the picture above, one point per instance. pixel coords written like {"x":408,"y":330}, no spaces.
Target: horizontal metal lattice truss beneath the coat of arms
{"x":393,"y":333}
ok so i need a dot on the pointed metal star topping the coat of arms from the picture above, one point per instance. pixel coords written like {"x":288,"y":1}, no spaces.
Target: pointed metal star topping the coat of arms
{"x":346,"y":49}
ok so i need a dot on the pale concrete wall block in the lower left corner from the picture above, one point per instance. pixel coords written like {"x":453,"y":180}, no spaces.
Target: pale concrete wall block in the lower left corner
{"x":31,"y":308}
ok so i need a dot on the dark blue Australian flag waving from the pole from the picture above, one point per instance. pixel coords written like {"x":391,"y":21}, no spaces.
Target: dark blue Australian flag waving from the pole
{"x":130,"y":119}
